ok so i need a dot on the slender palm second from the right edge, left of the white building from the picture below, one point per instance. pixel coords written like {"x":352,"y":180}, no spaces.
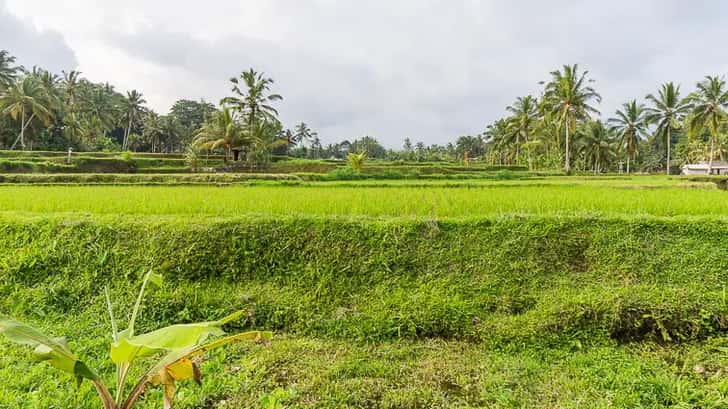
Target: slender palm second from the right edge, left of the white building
{"x":667,"y":110}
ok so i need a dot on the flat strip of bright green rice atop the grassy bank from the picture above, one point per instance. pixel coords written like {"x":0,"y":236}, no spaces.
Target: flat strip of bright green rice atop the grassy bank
{"x":340,"y":200}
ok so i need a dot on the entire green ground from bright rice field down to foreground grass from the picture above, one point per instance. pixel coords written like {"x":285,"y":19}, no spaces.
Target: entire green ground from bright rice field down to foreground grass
{"x":405,"y":297}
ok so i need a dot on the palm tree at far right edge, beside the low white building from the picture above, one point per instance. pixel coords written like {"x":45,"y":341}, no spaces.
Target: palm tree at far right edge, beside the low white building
{"x":710,"y":103}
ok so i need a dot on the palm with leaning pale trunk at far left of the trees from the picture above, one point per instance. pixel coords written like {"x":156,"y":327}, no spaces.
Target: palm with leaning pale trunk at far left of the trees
{"x":25,"y":101}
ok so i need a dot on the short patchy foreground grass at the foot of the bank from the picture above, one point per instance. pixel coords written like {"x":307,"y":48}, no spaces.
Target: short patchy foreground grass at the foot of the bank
{"x":316,"y":373}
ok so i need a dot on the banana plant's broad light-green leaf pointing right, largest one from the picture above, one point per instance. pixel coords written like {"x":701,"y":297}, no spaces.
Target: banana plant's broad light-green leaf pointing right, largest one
{"x":172,"y":338}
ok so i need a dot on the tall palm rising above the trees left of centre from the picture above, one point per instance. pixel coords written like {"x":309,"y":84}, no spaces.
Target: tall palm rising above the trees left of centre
{"x":253,"y":99}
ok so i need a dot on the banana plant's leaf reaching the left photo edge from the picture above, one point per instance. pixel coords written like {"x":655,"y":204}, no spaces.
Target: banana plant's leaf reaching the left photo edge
{"x":55,"y":351}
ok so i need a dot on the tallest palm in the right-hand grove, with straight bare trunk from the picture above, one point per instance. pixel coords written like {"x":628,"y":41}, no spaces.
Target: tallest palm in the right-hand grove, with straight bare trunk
{"x":568,"y":96}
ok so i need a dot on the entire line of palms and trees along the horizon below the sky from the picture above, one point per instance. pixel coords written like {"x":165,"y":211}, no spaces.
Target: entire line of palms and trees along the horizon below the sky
{"x":560,"y":128}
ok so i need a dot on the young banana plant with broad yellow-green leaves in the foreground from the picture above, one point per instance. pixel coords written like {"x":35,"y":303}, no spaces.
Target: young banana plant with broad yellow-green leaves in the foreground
{"x":180,"y":348}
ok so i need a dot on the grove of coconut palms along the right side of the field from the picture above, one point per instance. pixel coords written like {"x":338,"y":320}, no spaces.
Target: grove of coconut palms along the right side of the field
{"x":654,"y":133}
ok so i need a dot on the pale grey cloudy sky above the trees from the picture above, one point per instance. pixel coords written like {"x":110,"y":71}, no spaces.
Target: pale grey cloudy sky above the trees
{"x":425,"y":69}
